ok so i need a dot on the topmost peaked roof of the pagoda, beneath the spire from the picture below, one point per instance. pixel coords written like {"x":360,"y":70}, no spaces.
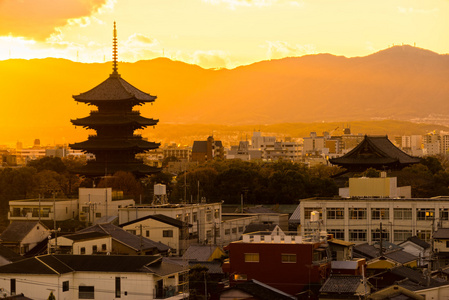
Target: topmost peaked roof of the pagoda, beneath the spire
{"x":115,"y":88}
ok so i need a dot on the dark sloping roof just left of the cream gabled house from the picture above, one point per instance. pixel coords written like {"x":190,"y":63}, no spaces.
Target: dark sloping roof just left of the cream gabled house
{"x":133,"y":241}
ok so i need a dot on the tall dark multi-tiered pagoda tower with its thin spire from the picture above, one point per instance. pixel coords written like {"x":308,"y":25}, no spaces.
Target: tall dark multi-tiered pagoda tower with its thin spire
{"x":115,"y":145}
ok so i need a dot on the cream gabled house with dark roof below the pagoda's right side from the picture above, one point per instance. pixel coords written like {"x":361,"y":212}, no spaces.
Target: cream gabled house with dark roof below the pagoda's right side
{"x":164,"y":229}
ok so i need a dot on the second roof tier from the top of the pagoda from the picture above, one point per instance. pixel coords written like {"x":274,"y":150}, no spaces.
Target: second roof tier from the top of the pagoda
{"x":114,"y":119}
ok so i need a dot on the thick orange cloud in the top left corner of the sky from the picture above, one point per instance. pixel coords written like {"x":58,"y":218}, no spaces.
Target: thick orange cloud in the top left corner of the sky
{"x":39,"y":19}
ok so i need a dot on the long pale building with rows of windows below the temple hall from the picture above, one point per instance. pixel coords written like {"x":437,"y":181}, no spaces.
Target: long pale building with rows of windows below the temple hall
{"x":358,"y":219}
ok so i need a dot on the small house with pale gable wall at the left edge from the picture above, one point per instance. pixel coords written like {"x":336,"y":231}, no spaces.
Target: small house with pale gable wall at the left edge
{"x":22,"y":236}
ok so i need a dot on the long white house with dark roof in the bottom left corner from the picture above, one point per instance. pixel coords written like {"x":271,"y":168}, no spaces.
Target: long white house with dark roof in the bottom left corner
{"x":71,"y":277}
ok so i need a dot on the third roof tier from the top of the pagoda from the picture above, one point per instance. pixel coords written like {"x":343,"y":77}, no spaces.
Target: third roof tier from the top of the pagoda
{"x":114,"y":144}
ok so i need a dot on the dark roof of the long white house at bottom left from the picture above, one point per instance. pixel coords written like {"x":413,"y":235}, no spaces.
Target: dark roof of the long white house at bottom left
{"x":60,"y":264}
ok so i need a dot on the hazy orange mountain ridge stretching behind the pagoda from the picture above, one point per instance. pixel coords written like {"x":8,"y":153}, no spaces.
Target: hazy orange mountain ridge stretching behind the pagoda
{"x":401,"y":83}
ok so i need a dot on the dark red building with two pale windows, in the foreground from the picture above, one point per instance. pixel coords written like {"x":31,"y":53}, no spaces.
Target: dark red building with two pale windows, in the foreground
{"x":290,"y":263}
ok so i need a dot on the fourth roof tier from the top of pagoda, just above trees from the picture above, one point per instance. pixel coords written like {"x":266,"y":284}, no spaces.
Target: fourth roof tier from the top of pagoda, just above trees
{"x":96,"y":169}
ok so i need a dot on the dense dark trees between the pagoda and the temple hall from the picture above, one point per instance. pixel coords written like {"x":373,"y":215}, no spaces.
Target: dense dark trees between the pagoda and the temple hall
{"x":257,"y":182}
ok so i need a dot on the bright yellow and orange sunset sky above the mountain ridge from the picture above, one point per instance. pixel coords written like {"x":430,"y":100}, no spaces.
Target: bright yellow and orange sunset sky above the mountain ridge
{"x":217,"y":33}
